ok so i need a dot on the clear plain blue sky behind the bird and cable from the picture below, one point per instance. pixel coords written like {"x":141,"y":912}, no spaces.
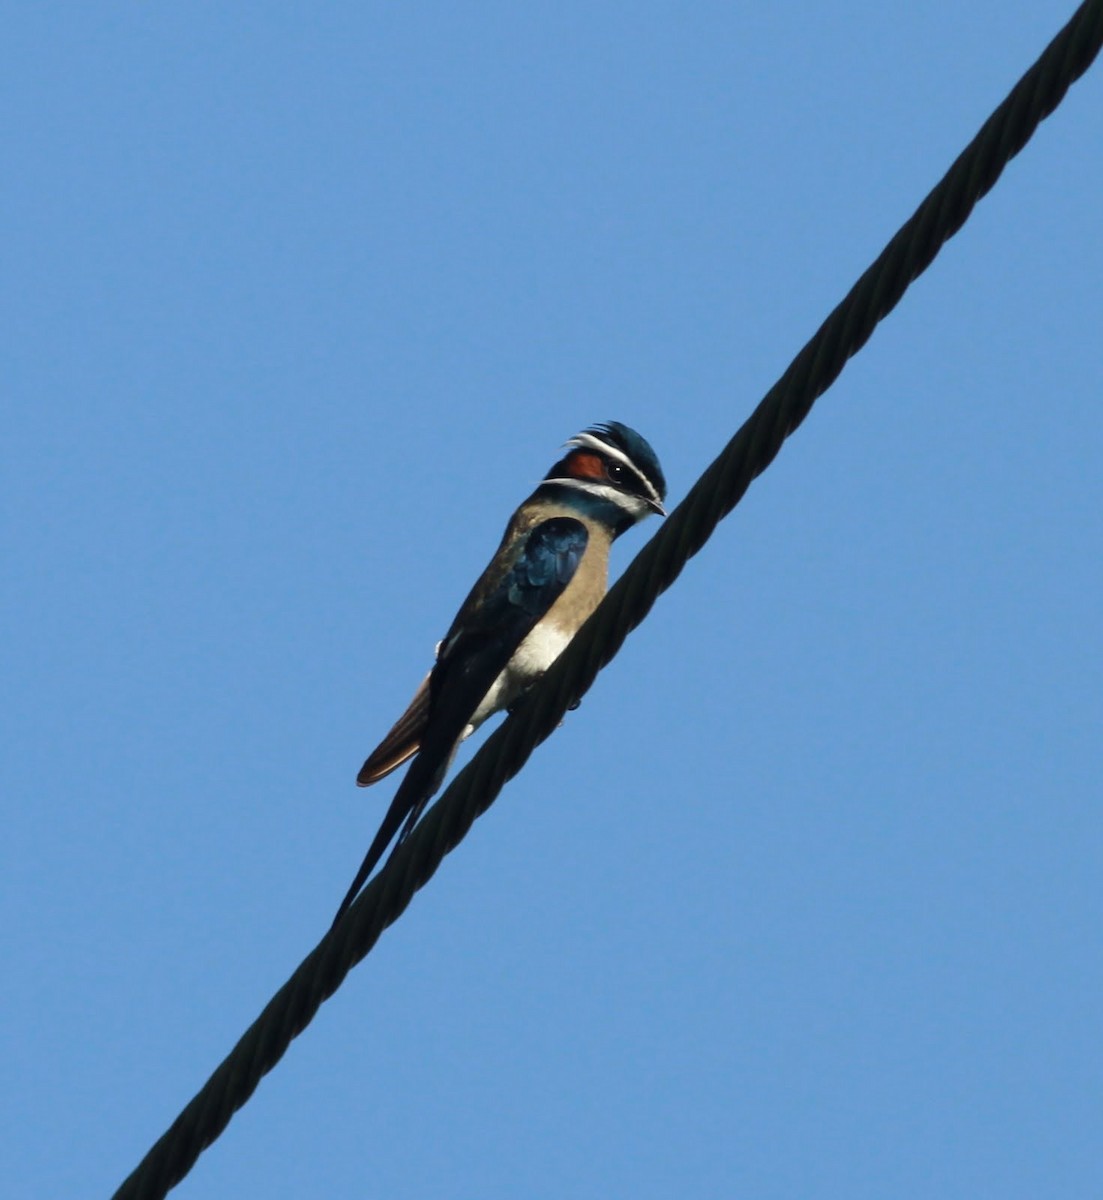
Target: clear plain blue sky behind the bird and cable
{"x":298,"y":302}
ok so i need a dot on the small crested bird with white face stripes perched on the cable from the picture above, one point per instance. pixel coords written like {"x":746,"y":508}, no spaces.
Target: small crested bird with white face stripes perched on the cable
{"x":548,"y":575}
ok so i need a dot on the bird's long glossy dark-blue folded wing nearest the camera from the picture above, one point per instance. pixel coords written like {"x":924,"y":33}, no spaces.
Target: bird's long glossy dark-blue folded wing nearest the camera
{"x":482,"y":641}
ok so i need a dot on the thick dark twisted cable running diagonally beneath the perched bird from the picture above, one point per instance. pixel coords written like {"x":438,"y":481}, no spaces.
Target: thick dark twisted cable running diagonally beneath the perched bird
{"x":655,"y":569}
